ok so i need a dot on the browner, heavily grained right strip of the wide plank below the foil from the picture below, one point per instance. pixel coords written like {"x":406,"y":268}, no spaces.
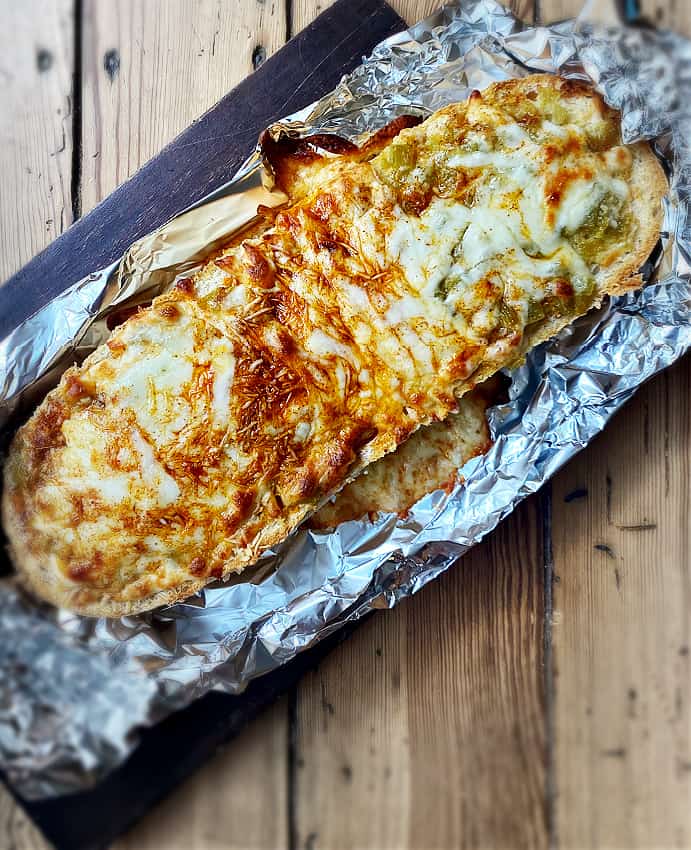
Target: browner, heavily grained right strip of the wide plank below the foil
{"x":475,"y":662}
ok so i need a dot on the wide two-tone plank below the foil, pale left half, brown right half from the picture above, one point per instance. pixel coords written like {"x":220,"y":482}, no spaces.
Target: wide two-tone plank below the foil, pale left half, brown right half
{"x":425,"y":729}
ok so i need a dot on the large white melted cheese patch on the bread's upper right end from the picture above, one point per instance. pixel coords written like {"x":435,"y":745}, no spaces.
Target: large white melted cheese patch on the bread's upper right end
{"x":508,"y":231}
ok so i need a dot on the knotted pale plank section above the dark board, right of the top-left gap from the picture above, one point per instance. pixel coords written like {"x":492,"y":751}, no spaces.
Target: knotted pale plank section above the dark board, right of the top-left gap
{"x":151,"y":68}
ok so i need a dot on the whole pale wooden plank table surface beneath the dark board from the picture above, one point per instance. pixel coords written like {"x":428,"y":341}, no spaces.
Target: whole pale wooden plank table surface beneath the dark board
{"x":539,"y":694}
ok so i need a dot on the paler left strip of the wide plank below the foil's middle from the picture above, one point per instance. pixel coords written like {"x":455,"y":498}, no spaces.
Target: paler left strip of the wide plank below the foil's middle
{"x":353,"y":743}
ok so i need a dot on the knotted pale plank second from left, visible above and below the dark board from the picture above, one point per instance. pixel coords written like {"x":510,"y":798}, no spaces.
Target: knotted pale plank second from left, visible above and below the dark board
{"x":150,"y":69}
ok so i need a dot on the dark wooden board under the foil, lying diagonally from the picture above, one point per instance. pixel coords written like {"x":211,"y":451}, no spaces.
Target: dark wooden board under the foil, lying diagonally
{"x":198,"y":161}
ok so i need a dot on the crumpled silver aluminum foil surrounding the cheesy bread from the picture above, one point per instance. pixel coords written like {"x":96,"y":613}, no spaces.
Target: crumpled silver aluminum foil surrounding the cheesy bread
{"x":73,"y":691}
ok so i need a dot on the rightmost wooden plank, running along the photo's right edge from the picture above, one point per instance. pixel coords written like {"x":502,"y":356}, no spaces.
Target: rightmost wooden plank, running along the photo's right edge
{"x":621,"y":615}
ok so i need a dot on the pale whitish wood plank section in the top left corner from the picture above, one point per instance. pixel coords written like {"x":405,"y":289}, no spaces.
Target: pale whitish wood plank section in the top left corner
{"x":36,"y":59}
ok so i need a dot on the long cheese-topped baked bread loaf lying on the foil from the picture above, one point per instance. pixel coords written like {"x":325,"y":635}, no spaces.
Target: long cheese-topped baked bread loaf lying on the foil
{"x":399,"y":276}
